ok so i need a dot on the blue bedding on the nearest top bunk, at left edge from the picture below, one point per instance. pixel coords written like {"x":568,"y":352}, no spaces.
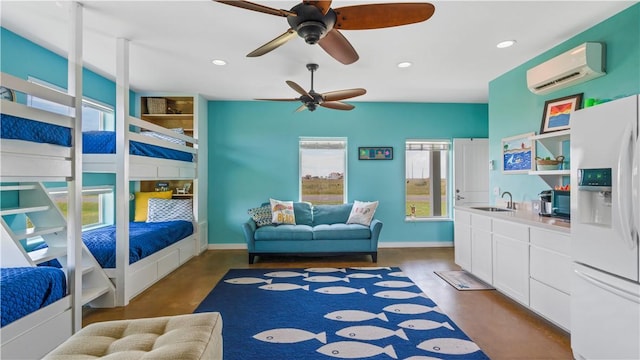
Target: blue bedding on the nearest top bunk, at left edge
{"x":17,"y":128}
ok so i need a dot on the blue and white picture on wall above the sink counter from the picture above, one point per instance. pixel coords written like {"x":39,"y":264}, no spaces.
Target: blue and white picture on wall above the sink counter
{"x":518,"y":154}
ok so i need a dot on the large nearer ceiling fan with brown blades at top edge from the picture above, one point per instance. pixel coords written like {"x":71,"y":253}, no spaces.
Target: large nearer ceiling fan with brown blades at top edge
{"x":317,"y":22}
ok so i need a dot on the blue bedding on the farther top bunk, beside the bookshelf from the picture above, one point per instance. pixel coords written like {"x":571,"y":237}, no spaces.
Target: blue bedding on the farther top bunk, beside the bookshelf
{"x":104,"y":142}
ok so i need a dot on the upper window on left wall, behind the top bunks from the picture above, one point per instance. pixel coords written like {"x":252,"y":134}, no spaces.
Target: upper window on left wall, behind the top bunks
{"x":95,"y":116}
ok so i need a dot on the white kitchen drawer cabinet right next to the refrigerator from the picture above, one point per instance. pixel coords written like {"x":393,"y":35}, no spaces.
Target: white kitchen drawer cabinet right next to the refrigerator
{"x":550,"y":275}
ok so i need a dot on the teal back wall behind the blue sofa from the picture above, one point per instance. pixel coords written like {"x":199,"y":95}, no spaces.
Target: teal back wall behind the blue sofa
{"x":253,"y":155}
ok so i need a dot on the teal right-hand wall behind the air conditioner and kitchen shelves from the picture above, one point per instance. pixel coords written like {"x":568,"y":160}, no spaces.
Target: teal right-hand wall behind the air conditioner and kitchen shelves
{"x":514,"y":110}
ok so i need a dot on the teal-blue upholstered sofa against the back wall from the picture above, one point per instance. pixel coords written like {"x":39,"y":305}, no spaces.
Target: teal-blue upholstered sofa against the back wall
{"x":319,"y":230}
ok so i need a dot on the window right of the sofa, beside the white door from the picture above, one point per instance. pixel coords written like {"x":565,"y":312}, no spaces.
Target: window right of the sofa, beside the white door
{"x":426,"y":179}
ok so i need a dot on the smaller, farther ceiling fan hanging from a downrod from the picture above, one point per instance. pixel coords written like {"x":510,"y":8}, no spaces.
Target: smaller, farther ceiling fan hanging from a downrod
{"x":311,"y":99}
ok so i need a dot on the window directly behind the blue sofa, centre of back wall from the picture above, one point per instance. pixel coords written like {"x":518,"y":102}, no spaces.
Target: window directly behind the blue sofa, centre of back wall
{"x":323,"y":163}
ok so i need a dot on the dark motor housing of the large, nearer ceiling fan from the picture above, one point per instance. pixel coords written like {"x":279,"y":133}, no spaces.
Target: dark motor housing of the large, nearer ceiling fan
{"x":310,"y":23}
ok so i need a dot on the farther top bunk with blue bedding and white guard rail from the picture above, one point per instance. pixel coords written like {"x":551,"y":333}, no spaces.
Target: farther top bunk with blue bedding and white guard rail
{"x":155,"y":152}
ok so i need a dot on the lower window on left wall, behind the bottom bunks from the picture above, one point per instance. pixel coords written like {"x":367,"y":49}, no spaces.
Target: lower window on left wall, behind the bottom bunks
{"x":97,"y":204}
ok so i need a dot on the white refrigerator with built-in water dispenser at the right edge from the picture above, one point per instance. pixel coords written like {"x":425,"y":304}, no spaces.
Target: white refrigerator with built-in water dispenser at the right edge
{"x":605,"y":220}
